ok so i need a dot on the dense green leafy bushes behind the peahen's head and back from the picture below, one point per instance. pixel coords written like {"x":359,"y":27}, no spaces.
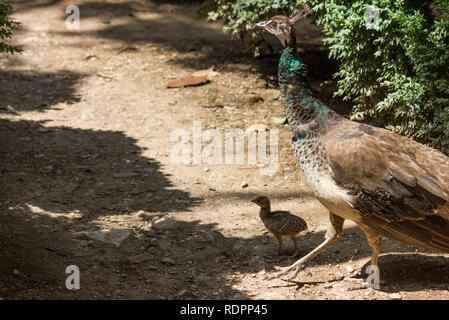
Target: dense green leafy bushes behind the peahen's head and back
{"x":397,"y":74}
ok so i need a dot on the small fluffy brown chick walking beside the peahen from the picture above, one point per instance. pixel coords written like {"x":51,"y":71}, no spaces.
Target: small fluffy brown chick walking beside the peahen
{"x":280,"y":223}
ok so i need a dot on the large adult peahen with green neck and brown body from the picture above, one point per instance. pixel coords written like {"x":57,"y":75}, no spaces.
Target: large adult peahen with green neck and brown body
{"x":388,"y":184}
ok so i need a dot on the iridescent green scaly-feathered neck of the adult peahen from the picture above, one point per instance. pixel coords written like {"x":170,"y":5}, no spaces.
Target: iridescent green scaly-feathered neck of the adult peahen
{"x":305,"y":114}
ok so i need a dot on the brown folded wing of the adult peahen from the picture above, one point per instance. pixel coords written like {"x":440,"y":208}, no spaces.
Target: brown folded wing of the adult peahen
{"x":399,"y":187}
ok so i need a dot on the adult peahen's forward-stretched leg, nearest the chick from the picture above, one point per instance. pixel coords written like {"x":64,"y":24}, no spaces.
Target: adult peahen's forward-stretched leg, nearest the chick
{"x":332,"y":235}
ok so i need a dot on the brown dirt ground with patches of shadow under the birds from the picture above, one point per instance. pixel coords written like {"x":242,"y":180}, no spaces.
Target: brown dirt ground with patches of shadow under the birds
{"x":85,"y":125}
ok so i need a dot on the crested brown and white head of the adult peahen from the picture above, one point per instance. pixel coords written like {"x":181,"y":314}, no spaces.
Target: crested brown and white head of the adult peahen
{"x":283,"y":27}
